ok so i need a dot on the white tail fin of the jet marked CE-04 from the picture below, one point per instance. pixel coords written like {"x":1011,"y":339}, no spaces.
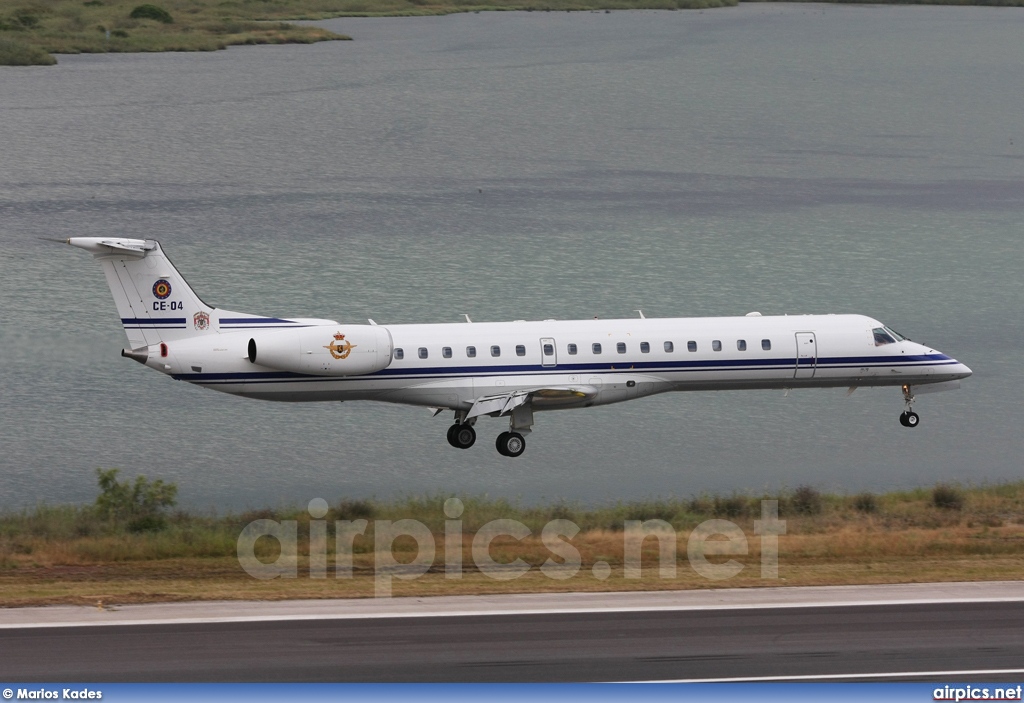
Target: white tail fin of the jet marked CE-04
{"x":155,"y":302}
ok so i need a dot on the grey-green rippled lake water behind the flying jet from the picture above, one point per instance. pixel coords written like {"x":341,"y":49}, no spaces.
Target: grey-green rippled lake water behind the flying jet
{"x":780,"y":158}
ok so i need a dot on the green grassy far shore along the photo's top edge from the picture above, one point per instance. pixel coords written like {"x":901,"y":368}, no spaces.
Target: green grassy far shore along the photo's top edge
{"x":32,"y":31}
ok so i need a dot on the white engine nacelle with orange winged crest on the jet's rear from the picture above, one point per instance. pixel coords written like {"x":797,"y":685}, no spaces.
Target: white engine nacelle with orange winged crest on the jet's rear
{"x":324,"y":350}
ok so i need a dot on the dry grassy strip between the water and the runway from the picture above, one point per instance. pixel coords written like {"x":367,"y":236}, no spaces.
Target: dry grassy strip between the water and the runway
{"x":70,"y":555}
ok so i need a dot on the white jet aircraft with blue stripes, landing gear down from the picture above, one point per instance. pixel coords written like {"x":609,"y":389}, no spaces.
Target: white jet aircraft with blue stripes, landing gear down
{"x":501,"y":370}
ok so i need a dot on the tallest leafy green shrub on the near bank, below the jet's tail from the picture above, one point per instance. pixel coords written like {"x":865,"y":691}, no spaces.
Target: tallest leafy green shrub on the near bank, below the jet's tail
{"x":140,"y":504}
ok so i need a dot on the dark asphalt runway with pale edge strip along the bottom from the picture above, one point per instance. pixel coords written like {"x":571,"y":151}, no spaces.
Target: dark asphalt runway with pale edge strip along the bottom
{"x":959,"y":632}
